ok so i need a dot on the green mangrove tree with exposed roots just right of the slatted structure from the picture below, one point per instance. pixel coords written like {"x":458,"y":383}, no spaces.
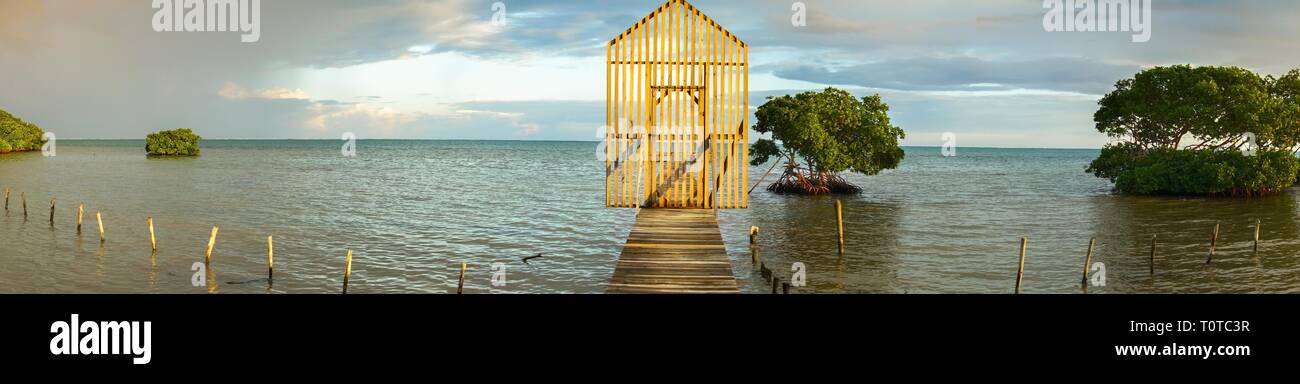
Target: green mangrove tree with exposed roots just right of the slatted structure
{"x":821,"y":135}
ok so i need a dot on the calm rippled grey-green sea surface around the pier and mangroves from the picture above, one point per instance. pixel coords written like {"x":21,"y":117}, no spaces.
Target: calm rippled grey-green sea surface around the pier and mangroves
{"x":413,"y":212}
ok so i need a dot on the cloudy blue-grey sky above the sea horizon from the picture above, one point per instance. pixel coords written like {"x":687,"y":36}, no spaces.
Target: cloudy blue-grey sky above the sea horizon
{"x":987,"y":71}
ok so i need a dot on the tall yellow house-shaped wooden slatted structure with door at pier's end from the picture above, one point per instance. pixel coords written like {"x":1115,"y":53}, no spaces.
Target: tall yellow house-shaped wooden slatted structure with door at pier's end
{"x":677,"y":114}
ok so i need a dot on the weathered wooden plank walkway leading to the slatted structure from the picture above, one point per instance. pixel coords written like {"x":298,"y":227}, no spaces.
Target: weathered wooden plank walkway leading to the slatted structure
{"x":674,"y":252}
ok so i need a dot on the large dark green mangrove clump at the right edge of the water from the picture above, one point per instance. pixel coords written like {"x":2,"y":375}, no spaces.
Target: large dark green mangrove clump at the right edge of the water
{"x":1201,"y":131}
